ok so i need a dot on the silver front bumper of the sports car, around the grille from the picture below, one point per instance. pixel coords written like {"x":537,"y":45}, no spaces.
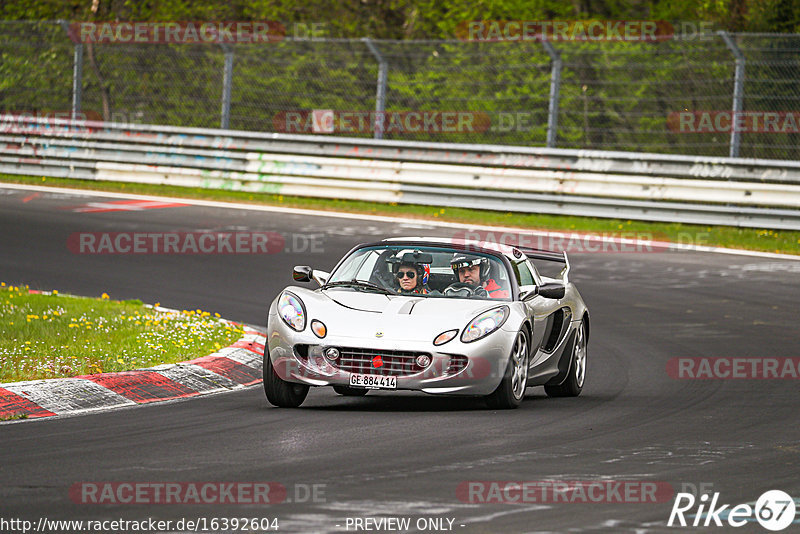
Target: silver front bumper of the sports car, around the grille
{"x":456,"y":368}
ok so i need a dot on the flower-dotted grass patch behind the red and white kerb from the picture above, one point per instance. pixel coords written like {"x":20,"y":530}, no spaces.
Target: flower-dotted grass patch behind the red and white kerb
{"x":49,"y":335}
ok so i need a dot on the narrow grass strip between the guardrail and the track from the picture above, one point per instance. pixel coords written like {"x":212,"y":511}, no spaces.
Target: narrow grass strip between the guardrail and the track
{"x":786,"y":242}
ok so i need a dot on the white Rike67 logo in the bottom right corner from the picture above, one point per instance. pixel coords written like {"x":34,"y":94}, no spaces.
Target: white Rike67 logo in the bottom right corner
{"x":774,"y":510}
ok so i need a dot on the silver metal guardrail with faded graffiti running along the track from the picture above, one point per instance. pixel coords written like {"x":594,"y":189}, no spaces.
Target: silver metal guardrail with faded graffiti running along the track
{"x":653,"y":187}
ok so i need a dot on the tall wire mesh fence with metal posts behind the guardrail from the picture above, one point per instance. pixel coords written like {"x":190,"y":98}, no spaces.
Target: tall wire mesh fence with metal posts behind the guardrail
{"x":715,"y":94}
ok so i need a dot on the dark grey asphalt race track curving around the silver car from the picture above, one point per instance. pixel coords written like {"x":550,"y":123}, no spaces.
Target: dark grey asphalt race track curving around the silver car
{"x":404,"y":455}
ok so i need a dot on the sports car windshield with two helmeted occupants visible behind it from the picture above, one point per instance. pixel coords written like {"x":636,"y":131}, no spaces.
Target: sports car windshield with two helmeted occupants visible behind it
{"x":422,"y":271}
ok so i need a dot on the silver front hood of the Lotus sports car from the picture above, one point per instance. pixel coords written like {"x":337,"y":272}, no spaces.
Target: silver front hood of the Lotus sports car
{"x":360,"y":314}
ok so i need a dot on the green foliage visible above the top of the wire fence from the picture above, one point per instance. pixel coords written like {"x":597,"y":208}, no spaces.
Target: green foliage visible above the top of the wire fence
{"x":423,"y":19}
